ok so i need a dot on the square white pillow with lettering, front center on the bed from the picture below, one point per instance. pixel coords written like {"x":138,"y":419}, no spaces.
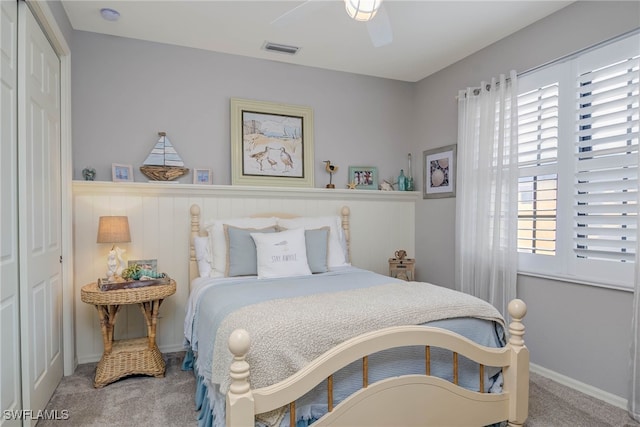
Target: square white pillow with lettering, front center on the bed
{"x":281,"y":254}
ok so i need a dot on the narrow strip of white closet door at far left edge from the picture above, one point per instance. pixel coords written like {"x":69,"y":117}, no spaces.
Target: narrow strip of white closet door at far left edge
{"x":10,"y":390}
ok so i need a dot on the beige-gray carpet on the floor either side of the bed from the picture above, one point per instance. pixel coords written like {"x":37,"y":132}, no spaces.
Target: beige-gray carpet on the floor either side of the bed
{"x":147,"y":401}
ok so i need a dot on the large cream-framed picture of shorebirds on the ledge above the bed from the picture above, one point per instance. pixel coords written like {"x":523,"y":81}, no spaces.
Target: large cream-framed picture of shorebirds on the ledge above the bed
{"x":271,"y":144}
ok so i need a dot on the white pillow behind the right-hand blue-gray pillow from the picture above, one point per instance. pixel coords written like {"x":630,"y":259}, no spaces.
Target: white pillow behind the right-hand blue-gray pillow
{"x":337,"y":240}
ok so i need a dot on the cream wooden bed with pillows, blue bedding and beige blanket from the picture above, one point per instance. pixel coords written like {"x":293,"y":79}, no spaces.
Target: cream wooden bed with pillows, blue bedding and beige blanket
{"x":287,"y":332}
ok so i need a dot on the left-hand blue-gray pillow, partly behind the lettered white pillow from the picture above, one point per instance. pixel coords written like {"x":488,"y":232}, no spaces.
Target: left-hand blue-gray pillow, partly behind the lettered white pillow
{"x":241,"y":250}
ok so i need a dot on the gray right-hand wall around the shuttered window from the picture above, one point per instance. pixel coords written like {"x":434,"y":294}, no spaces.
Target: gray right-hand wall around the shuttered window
{"x":586,"y":326}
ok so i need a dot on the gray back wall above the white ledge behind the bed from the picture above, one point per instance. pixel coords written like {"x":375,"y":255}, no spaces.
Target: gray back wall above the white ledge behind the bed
{"x":125,"y":91}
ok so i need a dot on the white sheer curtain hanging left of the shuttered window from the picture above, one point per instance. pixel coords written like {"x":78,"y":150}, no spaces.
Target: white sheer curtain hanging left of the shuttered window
{"x":487,"y":192}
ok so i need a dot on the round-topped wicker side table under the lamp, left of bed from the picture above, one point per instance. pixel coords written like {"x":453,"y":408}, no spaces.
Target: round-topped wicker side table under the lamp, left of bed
{"x":122,"y":358}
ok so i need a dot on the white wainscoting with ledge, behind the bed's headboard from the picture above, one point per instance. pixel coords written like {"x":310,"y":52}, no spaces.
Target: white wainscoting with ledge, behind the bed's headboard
{"x":159,"y":221}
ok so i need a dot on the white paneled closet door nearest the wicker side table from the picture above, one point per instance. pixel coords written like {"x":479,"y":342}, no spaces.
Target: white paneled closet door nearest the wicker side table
{"x":40,"y":213}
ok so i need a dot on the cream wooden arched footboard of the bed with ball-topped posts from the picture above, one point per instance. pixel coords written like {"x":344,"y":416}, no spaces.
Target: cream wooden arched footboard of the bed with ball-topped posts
{"x":406,"y":400}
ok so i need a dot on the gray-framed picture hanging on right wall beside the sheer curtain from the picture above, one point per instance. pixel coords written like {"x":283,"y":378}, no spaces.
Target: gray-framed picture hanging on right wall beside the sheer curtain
{"x":439,"y":172}
